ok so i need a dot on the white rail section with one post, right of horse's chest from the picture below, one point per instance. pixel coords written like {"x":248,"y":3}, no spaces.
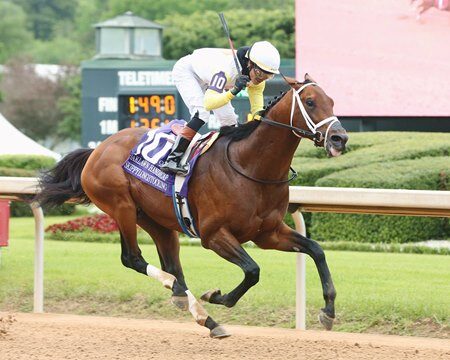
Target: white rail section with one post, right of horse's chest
{"x":358,"y":201}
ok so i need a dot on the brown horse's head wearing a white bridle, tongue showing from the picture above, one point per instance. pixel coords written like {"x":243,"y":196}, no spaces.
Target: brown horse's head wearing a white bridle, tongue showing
{"x":312,"y":112}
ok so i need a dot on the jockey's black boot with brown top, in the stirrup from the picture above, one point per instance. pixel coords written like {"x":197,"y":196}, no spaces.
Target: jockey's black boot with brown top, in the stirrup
{"x":173,"y":162}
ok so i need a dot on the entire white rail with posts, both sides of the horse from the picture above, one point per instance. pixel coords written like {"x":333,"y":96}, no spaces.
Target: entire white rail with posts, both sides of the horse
{"x":302,"y":198}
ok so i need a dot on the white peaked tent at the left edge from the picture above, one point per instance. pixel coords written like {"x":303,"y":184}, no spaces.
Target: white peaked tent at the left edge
{"x":13,"y":142}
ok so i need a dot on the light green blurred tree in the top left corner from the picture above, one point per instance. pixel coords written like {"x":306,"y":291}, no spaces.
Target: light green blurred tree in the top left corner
{"x":14,"y":37}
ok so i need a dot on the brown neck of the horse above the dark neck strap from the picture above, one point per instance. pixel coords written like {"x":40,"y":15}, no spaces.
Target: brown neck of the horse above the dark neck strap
{"x":267,"y":153}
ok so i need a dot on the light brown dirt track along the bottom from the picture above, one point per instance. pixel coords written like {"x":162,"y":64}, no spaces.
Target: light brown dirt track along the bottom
{"x":54,"y":336}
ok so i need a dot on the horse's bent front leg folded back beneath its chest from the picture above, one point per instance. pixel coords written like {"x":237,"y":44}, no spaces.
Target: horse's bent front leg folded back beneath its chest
{"x":226,"y":245}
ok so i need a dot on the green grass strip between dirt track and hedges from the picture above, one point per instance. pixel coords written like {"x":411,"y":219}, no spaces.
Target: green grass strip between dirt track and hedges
{"x":377,"y":292}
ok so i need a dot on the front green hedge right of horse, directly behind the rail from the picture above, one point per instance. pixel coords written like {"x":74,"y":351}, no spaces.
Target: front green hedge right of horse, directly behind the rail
{"x":427,"y":173}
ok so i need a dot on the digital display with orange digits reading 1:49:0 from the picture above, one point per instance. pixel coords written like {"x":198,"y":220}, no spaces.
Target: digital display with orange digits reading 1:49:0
{"x":149,"y":111}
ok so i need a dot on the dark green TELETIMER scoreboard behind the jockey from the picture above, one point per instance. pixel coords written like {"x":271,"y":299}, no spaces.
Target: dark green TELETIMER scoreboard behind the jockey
{"x":123,"y":93}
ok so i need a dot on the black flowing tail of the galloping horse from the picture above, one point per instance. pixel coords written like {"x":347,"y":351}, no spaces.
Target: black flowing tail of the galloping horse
{"x":63,"y":182}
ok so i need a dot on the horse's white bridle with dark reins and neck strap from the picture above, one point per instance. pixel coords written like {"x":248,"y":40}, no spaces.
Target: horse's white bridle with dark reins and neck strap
{"x":313,"y":134}
